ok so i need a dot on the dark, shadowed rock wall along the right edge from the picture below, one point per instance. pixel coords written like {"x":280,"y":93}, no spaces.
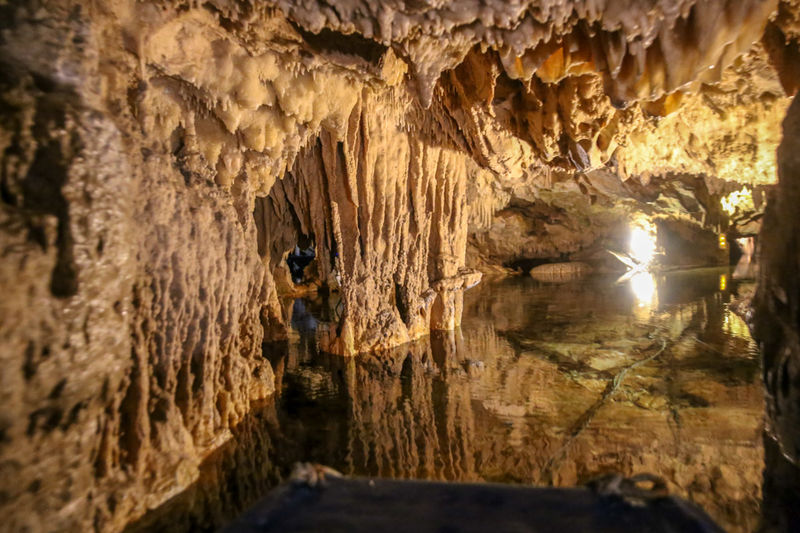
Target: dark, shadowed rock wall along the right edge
{"x":775,"y":326}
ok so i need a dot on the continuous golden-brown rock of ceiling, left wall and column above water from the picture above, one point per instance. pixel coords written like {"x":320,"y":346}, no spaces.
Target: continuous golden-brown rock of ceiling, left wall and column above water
{"x":160,"y":160}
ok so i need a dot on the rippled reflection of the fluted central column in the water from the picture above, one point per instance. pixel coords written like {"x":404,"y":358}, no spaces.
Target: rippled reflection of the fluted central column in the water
{"x":408,"y":419}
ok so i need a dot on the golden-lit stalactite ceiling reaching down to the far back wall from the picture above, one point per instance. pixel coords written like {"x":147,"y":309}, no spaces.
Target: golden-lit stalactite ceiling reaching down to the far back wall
{"x":589,"y":110}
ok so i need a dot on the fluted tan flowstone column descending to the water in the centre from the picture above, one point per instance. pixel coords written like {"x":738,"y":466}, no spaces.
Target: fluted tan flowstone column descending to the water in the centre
{"x":387,"y":210}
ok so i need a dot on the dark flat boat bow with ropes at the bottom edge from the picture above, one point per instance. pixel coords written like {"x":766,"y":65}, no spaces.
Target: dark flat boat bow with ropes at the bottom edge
{"x":430,"y":507}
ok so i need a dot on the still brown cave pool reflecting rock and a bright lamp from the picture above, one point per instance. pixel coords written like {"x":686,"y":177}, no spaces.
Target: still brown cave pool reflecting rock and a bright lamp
{"x":547,"y":384}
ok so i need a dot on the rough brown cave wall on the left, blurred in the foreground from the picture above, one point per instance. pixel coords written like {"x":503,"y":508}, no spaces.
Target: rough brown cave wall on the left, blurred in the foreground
{"x":130,"y":335}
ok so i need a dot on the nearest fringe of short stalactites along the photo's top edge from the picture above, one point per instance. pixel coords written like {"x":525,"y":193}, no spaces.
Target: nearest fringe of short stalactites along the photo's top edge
{"x":643,"y":50}
